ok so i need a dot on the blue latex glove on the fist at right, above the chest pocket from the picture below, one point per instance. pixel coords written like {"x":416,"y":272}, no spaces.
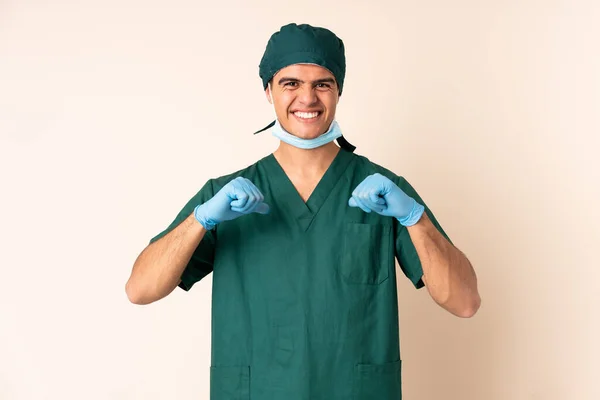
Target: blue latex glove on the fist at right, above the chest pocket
{"x":378,"y":193}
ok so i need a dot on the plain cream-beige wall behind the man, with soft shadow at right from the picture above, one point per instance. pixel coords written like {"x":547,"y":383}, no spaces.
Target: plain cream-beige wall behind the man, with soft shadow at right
{"x":114,"y":113}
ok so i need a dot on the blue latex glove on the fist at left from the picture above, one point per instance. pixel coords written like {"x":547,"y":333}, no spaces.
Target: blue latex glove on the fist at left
{"x":236,"y":198}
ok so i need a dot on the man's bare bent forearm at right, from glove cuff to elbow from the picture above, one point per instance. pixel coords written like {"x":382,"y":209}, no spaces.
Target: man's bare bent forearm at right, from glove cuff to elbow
{"x":447,"y":272}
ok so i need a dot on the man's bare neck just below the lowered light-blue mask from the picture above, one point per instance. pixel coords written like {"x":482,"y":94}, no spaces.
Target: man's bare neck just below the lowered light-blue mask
{"x":306,"y":162}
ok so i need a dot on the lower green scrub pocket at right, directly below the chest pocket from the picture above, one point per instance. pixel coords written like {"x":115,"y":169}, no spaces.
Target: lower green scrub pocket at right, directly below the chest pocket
{"x":378,"y":381}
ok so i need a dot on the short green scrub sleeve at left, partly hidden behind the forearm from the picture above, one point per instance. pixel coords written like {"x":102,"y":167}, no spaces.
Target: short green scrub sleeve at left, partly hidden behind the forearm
{"x":201,"y":262}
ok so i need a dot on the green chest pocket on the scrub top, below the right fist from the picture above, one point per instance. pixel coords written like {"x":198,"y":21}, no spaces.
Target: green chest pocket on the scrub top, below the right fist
{"x":367,"y":253}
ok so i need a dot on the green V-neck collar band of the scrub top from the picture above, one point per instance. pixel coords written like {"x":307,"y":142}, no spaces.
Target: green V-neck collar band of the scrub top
{"x":287,"y":194}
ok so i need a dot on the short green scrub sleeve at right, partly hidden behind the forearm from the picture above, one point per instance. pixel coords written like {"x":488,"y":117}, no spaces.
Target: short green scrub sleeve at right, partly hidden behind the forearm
{"x":406,"y":253}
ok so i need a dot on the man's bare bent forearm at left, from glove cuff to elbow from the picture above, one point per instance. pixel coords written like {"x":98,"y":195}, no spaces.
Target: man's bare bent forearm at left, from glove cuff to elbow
{"x":157,"y":270}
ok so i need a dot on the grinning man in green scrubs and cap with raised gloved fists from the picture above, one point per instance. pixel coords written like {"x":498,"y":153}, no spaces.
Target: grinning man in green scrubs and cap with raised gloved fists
{"x":302,"y":247}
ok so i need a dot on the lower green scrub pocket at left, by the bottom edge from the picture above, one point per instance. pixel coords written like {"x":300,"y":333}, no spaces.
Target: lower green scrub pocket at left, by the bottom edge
{"x":230,"y":383}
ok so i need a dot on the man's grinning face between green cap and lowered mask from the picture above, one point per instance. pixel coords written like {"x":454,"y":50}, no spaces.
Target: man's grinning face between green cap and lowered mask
{"x":305,"y":98}
